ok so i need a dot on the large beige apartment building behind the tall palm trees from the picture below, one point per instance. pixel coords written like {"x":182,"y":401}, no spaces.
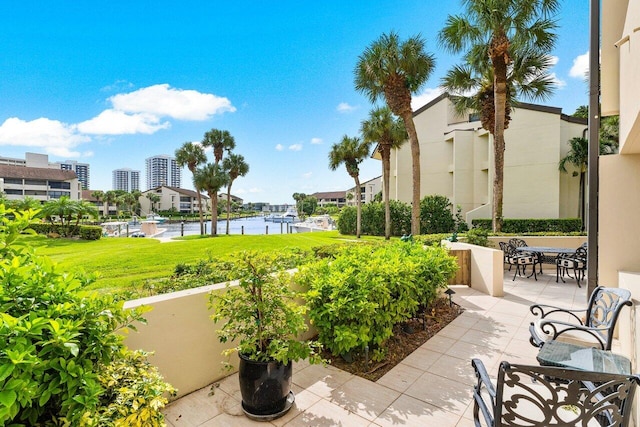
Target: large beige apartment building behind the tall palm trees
{"x":457,"y":157}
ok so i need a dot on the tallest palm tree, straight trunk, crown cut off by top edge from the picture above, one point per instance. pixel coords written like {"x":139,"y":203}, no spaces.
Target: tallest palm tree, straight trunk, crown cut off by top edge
{"x":499,"y":35}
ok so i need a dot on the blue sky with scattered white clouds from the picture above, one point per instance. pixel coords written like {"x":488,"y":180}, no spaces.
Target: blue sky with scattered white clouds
{"x":112,"y":83}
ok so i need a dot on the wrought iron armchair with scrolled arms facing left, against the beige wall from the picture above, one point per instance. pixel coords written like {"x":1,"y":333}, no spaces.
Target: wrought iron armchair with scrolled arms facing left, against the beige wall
{"x":592,"y":326}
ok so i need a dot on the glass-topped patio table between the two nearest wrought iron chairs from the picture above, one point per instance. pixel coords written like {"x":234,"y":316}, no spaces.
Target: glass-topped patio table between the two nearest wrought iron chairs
{"x":566,"y":355}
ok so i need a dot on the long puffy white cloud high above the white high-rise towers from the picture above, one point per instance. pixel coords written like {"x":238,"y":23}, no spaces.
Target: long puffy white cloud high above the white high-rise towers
{"x":164,"y":101}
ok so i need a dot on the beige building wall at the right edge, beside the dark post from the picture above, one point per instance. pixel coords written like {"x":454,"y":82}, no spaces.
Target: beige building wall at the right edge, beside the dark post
{"x":619,"y":175}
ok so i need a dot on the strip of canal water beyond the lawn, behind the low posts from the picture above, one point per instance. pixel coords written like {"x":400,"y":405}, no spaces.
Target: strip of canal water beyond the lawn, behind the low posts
{"x":254,"y":225}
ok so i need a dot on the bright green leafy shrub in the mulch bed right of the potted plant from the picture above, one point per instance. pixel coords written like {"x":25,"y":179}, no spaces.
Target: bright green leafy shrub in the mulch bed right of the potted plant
{"x":356,"y":298}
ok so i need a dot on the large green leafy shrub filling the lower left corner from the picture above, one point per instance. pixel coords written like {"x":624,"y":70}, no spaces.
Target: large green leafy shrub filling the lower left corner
{"x":57,"y":342}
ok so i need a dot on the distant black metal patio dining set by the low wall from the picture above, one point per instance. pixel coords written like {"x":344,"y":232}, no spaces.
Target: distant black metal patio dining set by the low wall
{"x":517,"y":253}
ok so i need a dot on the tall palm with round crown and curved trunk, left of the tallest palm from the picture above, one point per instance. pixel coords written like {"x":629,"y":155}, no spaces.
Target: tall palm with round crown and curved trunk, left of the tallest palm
{"x":394,"y":70}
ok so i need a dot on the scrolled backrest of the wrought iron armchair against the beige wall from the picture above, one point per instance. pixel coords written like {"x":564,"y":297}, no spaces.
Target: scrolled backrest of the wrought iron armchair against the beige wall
{"x":604,"y":308}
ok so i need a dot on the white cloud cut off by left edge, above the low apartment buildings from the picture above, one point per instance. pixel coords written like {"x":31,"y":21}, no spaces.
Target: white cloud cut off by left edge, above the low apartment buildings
{"x":53,"y":136}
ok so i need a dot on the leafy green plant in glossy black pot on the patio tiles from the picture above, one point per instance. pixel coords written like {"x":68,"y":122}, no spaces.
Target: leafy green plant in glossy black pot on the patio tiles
{"x":260,"y":313}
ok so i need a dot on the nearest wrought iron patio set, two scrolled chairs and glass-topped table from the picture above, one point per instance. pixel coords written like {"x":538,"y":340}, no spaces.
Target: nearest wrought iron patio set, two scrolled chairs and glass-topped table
{"x":577,"y":383}
